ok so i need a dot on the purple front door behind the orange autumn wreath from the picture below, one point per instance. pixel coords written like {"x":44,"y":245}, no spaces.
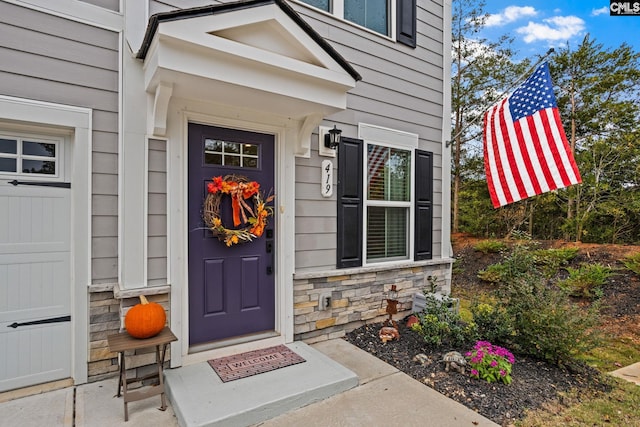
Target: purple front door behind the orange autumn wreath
{"x":231,"y":289}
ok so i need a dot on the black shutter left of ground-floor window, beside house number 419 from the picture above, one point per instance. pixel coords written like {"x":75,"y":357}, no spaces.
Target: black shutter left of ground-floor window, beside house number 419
{"x":350,"y":203}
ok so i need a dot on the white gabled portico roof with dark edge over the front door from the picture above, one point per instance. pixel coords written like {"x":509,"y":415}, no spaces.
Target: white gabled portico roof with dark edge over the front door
{"x":257,"y":54}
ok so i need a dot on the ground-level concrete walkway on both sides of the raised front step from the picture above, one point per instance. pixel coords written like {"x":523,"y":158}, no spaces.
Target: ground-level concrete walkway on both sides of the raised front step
{"x":384,"y":397}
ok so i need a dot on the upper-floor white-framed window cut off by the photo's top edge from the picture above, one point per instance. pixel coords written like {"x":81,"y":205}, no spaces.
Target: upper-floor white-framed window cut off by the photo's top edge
{"x":375,"y":15}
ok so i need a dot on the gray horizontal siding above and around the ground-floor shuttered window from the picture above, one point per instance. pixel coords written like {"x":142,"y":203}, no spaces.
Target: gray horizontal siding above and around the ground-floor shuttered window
{"x":402,"y":89}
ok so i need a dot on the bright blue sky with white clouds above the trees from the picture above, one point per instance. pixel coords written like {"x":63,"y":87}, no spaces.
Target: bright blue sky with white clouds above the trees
{"x":538,"y":25}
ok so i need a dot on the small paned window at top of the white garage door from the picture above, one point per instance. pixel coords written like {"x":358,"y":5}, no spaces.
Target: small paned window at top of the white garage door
{"x":31,"y":156}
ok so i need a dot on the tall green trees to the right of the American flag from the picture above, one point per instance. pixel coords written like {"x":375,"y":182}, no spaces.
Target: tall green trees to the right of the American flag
{"x":597,"y":91}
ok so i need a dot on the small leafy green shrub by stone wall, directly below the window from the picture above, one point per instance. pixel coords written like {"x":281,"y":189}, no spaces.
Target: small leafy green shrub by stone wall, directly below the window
{"x":439,"y":324}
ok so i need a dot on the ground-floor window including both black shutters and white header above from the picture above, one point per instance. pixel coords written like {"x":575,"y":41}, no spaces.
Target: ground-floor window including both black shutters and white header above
{"x":385,"y":198}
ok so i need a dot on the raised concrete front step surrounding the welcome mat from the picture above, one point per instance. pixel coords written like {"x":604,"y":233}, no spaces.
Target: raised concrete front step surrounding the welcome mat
{"x":199,"y":398}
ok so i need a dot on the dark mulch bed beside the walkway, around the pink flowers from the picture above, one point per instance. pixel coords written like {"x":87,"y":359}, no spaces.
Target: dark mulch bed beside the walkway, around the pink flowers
{"x":534,"y":382}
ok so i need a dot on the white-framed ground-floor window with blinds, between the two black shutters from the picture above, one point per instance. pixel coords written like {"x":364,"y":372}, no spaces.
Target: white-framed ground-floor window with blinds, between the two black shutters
{"x":387,"y":203}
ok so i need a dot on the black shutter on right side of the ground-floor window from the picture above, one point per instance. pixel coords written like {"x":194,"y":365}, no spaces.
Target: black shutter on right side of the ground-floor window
{"x":424,"y":206}
